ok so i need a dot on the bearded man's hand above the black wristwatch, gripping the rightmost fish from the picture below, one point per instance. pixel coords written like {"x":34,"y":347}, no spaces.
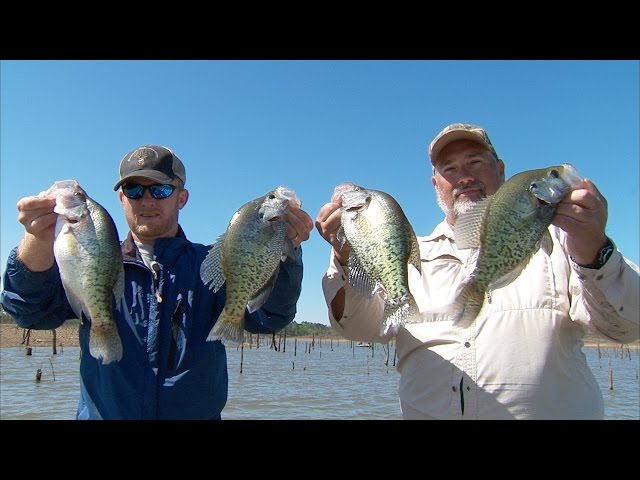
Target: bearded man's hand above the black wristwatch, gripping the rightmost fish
{"x":582,"y":214}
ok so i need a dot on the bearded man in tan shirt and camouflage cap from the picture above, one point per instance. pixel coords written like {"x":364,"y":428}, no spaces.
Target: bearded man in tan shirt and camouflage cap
{"x":521,"y":357}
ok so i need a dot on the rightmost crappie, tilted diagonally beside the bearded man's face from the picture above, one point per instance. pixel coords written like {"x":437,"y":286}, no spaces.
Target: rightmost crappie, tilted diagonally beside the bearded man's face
{"x":506,"y":229}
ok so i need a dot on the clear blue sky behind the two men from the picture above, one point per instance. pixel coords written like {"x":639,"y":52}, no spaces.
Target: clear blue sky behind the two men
{"x":244,"y":127}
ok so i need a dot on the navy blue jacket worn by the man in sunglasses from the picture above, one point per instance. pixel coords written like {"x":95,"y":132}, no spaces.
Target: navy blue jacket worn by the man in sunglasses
{"x":158,"y":377}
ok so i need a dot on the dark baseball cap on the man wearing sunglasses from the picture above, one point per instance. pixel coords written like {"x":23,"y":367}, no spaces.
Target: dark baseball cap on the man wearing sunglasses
{"x":154,"y":162}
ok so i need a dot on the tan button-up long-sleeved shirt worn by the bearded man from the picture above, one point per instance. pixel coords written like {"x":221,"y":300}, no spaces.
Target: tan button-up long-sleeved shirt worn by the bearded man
{"x":521,"y":357}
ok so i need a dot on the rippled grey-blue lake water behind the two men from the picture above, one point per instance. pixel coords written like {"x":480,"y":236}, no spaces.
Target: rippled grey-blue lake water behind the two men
{"x":332,"y":380}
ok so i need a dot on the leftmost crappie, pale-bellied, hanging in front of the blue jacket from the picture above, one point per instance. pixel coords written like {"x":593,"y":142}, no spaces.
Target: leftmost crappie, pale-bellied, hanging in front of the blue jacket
{"x":87,"y":251}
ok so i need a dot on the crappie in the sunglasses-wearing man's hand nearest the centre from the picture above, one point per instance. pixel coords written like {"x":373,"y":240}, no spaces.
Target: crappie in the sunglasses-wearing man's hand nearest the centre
{"x":247,"y":256}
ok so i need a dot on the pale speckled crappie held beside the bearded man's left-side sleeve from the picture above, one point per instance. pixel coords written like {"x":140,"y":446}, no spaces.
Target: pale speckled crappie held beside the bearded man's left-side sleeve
{"x":383,"y":245}
